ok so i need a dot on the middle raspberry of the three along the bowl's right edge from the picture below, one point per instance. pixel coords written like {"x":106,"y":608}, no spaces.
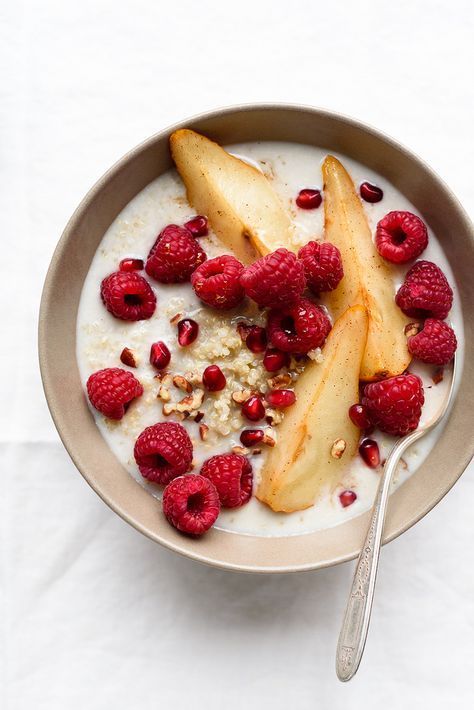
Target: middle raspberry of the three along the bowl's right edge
{"x":425,"y":293}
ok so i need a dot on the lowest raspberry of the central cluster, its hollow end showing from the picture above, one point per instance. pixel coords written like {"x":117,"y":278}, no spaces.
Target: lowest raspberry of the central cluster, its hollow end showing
{"x":298,"y":328}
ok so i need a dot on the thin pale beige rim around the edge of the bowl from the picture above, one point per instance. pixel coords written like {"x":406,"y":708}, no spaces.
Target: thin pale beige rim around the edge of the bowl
{"x":82,"y":207}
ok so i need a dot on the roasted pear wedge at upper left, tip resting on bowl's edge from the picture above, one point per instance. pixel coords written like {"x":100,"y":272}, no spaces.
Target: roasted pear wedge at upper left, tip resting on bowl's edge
{"x":240,"y":203}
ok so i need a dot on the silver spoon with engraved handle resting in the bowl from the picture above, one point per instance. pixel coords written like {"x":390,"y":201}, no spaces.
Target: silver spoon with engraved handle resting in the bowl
{"x":355,"y":625}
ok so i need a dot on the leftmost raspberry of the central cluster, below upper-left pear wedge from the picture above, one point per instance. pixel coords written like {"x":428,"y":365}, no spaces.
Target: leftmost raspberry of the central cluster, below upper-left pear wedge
{"x":217,"y":282}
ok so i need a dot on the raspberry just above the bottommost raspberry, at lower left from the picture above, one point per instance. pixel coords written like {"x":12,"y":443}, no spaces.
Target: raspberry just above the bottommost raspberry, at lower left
{"x":163,"y":451}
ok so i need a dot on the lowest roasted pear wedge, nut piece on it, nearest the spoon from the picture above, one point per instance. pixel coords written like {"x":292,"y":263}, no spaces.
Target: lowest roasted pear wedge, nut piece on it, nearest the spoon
{"x":317,"y":440}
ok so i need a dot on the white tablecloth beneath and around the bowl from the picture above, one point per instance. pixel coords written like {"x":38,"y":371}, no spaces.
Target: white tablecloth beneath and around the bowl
{"x":93,"y":614}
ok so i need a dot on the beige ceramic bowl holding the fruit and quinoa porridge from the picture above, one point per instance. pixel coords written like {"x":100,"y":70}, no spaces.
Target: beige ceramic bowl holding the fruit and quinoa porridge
{"x":57,"y":335}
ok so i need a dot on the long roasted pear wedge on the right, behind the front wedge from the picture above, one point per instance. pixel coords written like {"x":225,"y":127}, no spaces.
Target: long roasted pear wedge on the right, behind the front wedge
{"x":367,"y":277}
